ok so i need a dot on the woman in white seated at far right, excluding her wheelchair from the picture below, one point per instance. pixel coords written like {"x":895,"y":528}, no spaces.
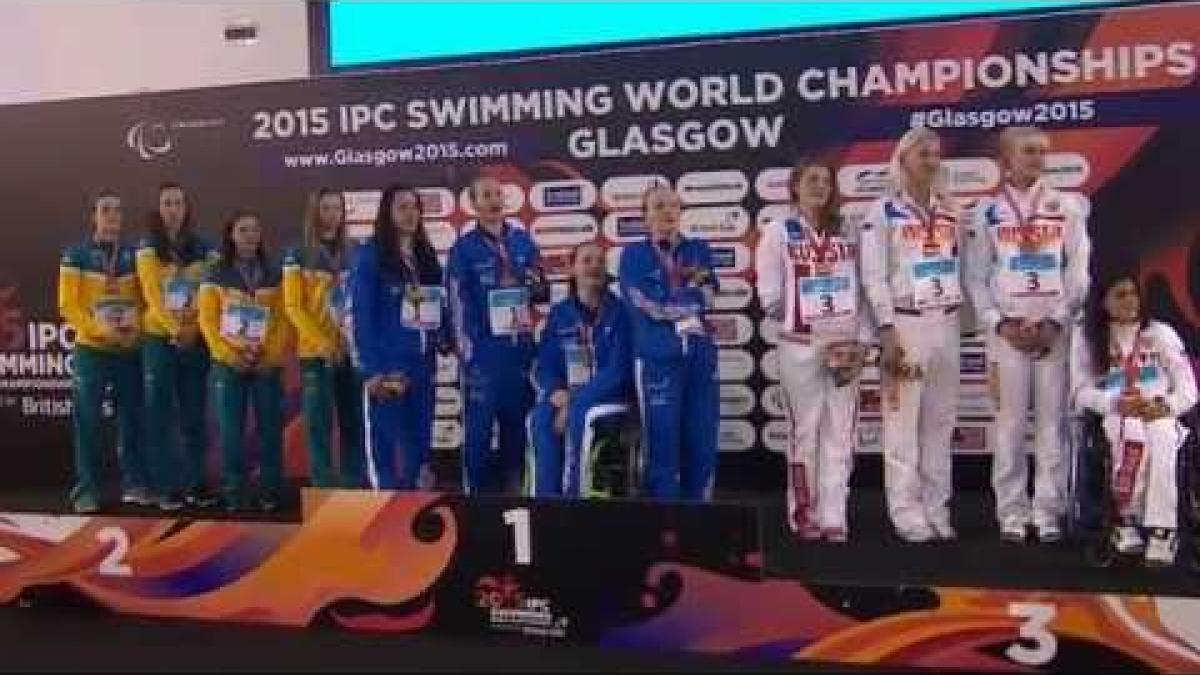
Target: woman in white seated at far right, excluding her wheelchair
{"x":1136,"y":374}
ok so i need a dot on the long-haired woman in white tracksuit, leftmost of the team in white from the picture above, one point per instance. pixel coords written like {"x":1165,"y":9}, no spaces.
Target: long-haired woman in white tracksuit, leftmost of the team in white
{"x":807,"y":267}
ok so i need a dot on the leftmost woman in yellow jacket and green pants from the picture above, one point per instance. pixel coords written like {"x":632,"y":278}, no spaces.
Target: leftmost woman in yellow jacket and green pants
{"x":99,"y":298}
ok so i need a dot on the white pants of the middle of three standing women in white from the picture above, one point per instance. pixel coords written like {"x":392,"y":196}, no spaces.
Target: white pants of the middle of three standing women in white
{"x":919,"y":422}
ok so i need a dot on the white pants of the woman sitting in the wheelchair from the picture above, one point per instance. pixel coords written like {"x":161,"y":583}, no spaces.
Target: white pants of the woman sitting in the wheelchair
{"x":1144,"y":469}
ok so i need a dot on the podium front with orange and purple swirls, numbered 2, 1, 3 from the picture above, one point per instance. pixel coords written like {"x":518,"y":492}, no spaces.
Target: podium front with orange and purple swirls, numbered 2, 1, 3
{"x":671,"y":580}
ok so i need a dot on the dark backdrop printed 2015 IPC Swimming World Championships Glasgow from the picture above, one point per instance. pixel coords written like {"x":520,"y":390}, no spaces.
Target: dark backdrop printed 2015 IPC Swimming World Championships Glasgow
{"x":578,"y":139}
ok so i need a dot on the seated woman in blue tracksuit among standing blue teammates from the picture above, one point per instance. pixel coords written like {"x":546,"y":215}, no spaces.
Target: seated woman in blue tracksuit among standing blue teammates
{"x":583,"y":375}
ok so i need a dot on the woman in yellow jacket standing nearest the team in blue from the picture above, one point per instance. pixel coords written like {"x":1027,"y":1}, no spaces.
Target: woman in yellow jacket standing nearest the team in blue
{"x":317,"y":303}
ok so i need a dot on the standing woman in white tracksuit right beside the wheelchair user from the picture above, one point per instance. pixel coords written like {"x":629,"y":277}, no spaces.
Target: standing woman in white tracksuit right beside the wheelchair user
{"x":1027,"y":271}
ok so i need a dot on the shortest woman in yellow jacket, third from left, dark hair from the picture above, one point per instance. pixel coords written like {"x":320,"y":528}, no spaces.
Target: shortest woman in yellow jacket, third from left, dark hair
{"x":242,"y":320}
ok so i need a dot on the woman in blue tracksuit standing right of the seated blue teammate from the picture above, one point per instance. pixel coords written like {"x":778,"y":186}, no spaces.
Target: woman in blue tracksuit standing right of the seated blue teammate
{"x":668,"y":283}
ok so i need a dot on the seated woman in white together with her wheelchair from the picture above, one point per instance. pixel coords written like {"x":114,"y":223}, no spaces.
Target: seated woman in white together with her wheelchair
{"x":1136,"y":391}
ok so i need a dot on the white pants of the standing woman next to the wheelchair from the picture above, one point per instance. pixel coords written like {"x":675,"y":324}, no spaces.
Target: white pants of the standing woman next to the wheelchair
{"x":1016,"y":375}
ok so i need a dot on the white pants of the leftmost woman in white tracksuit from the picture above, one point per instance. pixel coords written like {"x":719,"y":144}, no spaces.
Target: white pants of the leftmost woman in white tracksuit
{"x":821,"y":455}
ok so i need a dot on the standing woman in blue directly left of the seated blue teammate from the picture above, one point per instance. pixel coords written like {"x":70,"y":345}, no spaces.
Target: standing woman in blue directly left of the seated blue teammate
{"x":494,"y":277}
